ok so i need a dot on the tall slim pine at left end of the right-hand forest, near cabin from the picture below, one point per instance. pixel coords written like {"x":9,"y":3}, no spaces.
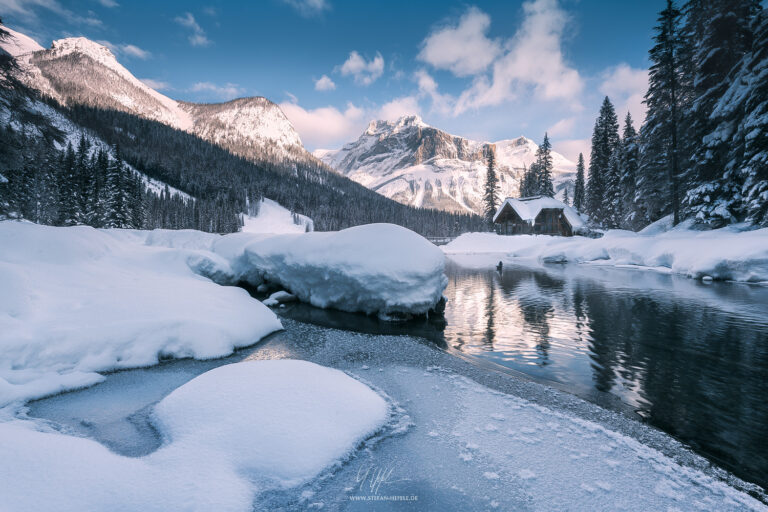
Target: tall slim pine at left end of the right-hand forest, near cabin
{"x":605,"y":140}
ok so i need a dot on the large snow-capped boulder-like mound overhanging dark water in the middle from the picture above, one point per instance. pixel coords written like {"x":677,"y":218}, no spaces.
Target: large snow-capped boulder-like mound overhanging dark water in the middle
{"x":376,"y":268}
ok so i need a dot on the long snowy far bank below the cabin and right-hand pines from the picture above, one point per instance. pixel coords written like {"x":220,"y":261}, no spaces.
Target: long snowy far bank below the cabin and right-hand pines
{"x":725,"y":254}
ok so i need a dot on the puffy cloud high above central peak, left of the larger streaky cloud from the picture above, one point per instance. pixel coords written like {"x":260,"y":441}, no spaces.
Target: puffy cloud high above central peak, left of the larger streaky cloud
{"x":464,"y":49}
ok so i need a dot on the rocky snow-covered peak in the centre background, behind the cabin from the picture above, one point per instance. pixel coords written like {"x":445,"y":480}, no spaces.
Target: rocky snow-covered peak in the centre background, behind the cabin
{"x":417,"y":164}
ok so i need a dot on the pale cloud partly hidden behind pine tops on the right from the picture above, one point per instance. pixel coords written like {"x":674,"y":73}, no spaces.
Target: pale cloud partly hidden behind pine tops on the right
{"x":626,"y":87}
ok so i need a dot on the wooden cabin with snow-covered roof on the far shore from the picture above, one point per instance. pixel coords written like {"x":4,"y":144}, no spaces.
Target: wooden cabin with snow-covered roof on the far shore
{"x":537,"y":215}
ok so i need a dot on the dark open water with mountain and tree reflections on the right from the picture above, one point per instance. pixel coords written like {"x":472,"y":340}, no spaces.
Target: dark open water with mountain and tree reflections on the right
{"x":691,"y":358}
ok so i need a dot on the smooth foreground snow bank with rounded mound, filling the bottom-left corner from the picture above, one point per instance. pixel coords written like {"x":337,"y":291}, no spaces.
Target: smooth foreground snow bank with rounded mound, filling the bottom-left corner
{"x":231,"y":433}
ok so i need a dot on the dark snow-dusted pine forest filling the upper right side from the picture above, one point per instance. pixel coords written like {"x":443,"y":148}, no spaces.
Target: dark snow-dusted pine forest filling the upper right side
{"x":702,"y":151}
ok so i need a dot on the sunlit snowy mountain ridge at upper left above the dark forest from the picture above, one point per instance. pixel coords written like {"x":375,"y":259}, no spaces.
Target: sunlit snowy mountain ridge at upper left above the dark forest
{"x":80,"y":71}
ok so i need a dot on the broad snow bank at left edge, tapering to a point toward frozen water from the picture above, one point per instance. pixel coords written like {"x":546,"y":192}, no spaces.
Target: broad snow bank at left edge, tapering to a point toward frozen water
{"x":76,"y":301}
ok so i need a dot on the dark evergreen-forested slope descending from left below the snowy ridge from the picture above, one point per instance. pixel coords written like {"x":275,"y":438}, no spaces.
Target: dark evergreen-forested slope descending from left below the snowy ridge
{"x":77,"y":164}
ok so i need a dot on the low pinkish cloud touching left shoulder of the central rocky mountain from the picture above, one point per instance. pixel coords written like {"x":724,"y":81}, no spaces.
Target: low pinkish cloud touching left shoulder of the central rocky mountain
{"x":325,"y":127}
